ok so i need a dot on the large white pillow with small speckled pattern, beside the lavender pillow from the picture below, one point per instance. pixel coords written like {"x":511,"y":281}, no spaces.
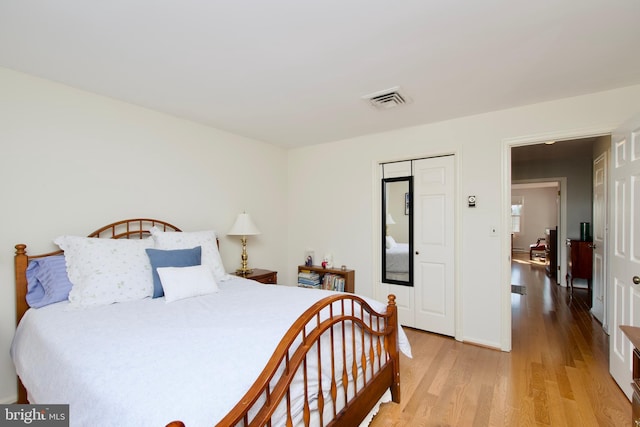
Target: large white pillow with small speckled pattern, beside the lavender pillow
{"x":105,"y":271}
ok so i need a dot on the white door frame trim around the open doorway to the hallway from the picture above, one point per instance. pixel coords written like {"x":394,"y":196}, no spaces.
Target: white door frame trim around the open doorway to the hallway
{"x":505,"y":247}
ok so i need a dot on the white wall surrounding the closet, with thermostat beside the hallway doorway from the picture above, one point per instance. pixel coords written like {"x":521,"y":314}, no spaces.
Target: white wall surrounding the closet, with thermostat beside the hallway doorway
{"x":348,"y":228}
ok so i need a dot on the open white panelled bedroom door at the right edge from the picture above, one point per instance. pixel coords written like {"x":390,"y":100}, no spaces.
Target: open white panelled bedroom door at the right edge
{"x":624,"y":301}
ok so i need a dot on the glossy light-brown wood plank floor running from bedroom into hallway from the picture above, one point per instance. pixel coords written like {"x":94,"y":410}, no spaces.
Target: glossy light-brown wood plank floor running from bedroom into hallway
{"x":556,"y":374}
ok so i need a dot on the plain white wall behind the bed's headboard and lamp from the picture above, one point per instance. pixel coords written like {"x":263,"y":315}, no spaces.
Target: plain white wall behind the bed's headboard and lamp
{"x":71,"y":161}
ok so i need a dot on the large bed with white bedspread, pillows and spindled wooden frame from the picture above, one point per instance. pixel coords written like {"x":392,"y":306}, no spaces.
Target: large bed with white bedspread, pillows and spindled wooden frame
{"x":244,"y":354}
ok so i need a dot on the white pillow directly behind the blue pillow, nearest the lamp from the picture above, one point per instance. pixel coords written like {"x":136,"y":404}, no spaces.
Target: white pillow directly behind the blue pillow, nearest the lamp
{"x":190,"y":239}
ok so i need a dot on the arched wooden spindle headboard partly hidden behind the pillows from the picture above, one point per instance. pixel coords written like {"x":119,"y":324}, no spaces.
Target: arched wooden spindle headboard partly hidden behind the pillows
{"x":126,"y":229}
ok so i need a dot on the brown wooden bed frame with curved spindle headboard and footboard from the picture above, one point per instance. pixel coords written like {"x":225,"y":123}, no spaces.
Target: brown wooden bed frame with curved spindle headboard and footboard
{"x":377,"y":332}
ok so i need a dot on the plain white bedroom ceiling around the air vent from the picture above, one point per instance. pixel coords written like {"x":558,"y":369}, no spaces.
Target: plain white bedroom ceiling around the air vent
{"x":292,"y":72}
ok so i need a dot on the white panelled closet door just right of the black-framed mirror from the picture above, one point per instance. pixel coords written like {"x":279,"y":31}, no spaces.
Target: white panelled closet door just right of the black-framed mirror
{"x":433,"y":210}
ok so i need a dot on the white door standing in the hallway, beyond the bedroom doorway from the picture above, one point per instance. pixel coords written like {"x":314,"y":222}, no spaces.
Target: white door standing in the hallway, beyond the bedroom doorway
{"x":599,"y":237}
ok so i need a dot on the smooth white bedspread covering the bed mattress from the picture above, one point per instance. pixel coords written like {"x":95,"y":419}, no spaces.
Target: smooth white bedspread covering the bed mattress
{"x":130,"y":364}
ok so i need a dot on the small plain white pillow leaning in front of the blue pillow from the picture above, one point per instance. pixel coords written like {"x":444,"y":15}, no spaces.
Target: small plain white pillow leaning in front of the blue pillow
{"x":186,"y":282}
